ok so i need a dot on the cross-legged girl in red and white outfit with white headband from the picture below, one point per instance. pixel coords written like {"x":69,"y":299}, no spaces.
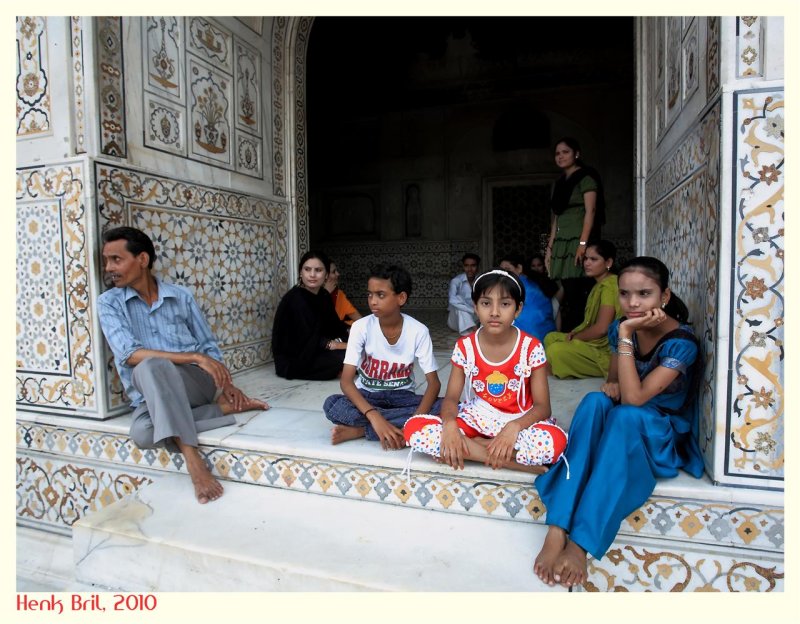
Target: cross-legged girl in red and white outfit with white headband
{"x":504,"y":420}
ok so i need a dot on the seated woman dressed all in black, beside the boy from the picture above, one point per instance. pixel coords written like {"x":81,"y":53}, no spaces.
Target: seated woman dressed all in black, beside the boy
{"x":308,"y":338}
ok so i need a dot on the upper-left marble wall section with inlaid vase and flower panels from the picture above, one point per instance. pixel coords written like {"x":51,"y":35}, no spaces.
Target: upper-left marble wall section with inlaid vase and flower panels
{"x":202,"y":93}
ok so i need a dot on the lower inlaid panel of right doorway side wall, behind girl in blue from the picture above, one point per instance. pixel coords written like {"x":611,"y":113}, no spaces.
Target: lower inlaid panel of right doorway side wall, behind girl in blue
{"x":682,"y":225}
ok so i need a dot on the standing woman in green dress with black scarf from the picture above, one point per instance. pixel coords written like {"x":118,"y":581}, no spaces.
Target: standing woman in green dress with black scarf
{"x":578,"y":211}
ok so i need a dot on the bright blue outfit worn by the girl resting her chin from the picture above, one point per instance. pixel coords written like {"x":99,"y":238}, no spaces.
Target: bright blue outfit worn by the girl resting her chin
{"x":616,"y":452}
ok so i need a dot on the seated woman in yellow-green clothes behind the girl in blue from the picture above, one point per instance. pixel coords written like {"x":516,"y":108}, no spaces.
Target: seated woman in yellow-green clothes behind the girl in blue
{"x":584,"y":352}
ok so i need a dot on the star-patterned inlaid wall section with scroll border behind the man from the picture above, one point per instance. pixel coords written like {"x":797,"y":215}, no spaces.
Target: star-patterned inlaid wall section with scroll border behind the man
{"x":228,"y":249}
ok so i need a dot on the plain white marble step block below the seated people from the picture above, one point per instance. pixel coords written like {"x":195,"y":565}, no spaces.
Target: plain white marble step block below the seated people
{"x":268,"y":539}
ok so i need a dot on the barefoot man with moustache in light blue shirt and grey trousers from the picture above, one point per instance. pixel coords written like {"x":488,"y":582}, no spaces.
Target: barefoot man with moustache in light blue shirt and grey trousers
{"x":166,"y":356}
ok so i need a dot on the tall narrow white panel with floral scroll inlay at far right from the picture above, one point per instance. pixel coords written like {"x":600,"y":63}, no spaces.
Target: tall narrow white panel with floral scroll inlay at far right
{"x":755,"y":431}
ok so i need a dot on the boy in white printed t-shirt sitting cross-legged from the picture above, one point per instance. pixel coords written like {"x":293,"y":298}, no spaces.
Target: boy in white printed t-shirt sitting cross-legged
{"x":378,"y":375}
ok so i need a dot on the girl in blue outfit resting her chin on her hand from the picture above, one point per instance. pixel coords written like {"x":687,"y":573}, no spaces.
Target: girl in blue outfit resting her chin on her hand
{"x":637,"y":429}
